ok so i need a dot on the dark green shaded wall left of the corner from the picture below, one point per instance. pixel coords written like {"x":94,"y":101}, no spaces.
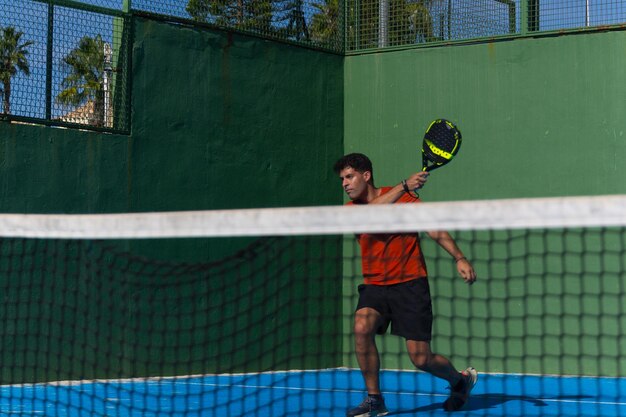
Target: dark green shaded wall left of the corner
{"x":219,"y":120}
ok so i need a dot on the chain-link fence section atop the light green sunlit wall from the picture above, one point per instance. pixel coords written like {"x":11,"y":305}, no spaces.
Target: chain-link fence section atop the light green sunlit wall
{"x":388,"y":23}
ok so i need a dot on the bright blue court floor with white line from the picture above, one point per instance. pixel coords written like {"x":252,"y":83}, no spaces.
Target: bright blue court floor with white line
{"x":314,"y":393}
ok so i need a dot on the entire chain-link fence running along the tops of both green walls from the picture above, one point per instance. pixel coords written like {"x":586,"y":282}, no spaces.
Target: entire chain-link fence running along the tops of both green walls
{"x":66,"y":62}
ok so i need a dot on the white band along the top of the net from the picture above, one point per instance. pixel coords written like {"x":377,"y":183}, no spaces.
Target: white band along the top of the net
{"x":554,"y":212}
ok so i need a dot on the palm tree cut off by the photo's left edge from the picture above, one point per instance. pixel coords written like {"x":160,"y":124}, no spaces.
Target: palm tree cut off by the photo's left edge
{"x":13,"y":58}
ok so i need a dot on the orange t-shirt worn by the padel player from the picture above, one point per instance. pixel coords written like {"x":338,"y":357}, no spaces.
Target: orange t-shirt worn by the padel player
{"x":392,"y":258}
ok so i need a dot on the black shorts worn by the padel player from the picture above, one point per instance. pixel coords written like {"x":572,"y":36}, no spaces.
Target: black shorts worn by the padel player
{"x":407,"y":306}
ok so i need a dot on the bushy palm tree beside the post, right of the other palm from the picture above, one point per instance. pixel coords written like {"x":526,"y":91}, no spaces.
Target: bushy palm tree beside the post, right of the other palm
{"x":85,"y":80}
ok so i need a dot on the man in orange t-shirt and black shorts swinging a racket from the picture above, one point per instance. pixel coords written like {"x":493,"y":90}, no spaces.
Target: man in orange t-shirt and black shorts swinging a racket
{"x":396,"y":290}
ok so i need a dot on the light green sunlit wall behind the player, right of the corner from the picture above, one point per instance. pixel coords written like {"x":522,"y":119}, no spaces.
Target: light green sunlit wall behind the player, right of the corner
{"x":539,"y":117}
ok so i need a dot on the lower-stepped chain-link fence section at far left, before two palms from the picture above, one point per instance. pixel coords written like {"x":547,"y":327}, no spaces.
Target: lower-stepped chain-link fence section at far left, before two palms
{"x":64,"y":65}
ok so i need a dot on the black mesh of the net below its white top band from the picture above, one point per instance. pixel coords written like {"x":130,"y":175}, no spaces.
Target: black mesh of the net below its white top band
{"x":264,"y":326}
